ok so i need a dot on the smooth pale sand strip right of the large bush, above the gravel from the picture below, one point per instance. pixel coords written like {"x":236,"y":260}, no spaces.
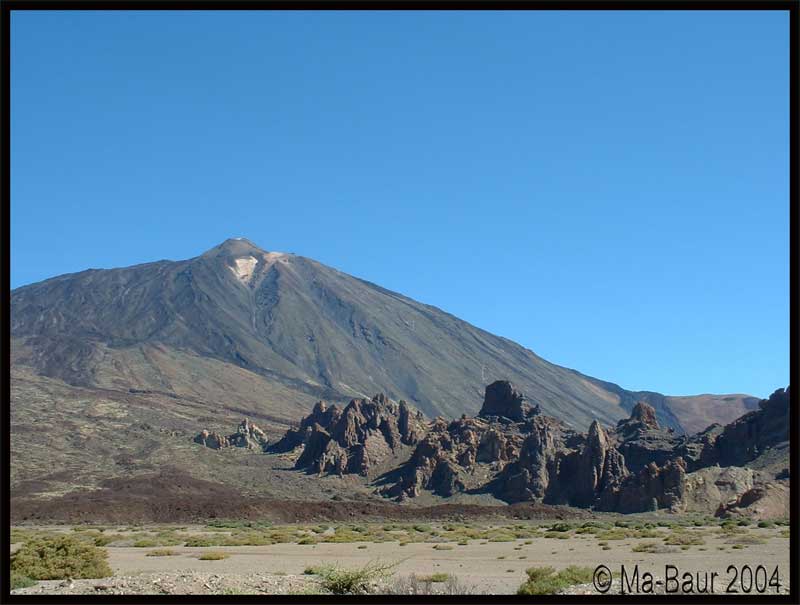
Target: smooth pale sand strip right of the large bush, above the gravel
{"x":495,"y":568}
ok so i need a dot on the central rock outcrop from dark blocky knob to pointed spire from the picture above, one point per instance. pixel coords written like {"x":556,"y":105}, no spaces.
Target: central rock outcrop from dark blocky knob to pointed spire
{"x":537,"y":457}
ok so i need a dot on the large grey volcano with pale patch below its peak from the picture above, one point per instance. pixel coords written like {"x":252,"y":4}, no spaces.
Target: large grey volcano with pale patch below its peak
{"x":269,"y":333}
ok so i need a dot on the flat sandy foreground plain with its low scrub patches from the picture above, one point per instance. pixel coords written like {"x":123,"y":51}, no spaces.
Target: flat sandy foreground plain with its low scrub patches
{"x":480,"y":556}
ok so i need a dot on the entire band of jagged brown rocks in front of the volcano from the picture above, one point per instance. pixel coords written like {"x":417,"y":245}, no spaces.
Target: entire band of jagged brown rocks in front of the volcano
{"x":513,"y":451}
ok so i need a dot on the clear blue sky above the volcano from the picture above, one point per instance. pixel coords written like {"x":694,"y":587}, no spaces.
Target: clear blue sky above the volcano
{"x":609,"y":189}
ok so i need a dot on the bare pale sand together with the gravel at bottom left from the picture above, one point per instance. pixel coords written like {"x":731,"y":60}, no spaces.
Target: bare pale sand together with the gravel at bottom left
{"x":482,"y":567}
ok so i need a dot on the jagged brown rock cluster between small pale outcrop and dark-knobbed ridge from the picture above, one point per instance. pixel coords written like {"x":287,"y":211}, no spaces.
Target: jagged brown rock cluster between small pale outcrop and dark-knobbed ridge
{"x":352,"y":439}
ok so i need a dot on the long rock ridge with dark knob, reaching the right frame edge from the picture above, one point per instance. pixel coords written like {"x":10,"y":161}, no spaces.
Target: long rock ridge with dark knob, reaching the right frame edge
{"x":516,"y":454}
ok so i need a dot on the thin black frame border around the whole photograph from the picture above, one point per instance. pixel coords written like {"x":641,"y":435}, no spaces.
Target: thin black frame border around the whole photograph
{"x":791,"y":6}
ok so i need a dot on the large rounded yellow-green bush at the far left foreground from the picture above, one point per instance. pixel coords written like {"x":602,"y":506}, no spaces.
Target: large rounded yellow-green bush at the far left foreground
{"x":60,"y":557}
